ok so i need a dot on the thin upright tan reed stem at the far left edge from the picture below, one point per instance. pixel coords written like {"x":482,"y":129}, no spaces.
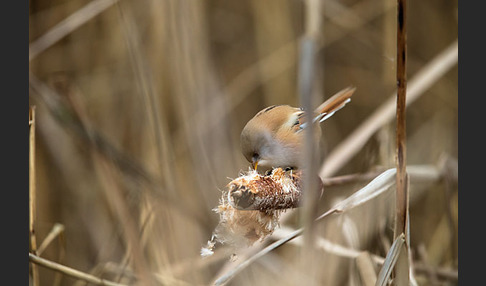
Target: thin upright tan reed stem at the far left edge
{"x":32,"y":201}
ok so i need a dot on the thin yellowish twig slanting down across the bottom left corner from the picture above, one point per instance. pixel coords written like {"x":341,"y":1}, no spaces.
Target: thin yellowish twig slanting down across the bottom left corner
{"x":70,"y":271}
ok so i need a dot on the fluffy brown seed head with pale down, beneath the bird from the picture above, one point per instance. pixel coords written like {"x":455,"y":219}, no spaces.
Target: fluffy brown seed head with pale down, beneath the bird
{"x":250,"y":207}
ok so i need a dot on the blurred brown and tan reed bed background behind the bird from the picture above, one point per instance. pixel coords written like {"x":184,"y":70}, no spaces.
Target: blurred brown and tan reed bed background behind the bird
{"x":139,"y":108}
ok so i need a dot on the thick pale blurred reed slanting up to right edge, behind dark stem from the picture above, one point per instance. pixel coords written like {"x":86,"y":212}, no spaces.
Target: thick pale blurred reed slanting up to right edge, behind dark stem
{"x":421,"y":81}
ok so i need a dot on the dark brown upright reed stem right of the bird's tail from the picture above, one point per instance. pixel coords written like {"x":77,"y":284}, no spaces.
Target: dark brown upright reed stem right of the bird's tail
{"x":401,"y":195}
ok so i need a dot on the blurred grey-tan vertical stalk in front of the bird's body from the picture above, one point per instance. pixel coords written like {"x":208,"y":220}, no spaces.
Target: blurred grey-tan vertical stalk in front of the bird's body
{"x":308,"y":87}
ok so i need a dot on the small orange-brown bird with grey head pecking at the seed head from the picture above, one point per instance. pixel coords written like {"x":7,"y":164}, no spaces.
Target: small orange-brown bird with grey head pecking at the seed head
{"x":274,"y":138}
